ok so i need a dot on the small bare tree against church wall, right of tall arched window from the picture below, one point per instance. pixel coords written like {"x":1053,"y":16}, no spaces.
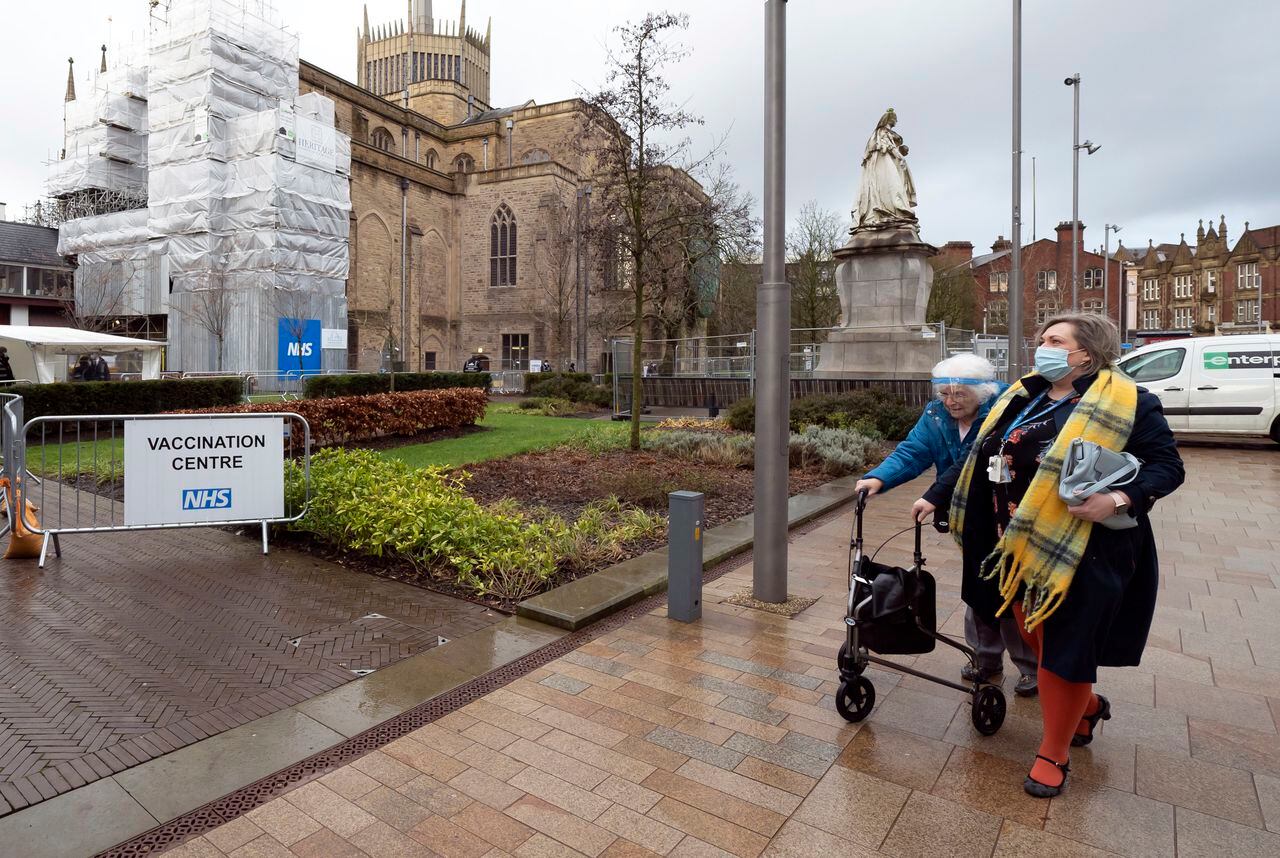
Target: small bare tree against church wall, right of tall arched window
{"x":556,"y":263}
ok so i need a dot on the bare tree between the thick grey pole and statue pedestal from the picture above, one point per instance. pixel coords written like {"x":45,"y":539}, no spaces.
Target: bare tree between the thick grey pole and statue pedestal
{"x":811,"y":247}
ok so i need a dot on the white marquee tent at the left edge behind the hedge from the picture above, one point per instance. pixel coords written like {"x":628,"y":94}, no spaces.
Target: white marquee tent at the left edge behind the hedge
{"x":45,"y":355}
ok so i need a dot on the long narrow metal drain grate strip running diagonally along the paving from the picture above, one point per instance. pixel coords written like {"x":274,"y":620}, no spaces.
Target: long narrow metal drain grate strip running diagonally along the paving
{"x":243,"y":801}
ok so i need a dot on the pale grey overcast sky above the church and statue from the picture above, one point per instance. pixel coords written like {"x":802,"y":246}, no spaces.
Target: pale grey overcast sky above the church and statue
{"x":1181,"y":95}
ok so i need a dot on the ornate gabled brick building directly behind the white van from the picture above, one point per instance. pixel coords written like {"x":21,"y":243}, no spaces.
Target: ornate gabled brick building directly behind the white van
{"x":1210,"y":287}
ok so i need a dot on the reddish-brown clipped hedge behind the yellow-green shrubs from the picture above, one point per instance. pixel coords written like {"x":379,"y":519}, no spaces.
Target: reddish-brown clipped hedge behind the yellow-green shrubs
{"x":342,"y":419}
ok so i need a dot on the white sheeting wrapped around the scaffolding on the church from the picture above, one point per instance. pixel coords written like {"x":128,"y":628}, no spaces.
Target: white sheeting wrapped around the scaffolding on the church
{"x":249,"y":191}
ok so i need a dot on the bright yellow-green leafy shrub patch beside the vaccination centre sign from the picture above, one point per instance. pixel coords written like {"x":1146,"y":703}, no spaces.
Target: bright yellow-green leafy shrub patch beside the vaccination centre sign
{"x":383,"y":508}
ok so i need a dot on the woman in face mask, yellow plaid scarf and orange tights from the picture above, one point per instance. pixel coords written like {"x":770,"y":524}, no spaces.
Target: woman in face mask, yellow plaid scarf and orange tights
{"x":1081,"y":578}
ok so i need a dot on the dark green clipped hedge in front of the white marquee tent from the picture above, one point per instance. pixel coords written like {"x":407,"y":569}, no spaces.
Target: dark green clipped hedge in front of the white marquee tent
{"x":129,"y":398}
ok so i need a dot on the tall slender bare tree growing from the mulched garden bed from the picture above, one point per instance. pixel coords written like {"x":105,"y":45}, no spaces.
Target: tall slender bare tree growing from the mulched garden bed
{"x":651,"y":207}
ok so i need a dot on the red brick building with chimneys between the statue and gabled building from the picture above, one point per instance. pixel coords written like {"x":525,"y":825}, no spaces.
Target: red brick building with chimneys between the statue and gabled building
{"x":1046,"y":280}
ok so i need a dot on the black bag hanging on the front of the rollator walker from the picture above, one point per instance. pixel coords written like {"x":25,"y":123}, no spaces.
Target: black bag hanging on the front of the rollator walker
{"x":898,"y":610}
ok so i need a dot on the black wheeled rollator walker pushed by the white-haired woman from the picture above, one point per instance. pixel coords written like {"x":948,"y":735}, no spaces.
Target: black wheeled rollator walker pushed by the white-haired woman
{"x":894,"y":611}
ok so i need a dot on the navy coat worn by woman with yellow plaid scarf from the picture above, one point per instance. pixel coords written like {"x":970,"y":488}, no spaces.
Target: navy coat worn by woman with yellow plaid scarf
{"x":1108,"y":611}
